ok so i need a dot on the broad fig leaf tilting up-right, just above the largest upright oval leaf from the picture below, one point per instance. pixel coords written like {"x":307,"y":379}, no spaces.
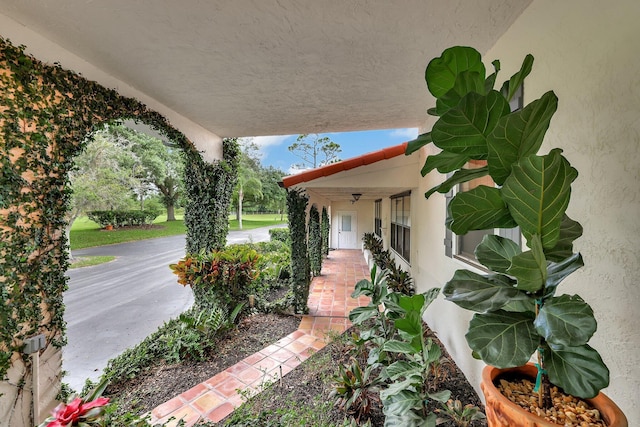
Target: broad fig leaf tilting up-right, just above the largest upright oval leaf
{"x":518,"y":135}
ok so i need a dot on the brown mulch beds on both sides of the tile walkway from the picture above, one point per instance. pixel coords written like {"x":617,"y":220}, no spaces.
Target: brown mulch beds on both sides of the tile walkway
{"x":310,"y":382}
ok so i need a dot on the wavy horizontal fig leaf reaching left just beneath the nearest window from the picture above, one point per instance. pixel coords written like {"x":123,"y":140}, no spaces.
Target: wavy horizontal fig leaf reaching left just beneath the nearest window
{"x":478,"y":293}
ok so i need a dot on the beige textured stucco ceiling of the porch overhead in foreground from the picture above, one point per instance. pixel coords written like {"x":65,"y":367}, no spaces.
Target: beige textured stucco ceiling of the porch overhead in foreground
{"x":269,"y":67}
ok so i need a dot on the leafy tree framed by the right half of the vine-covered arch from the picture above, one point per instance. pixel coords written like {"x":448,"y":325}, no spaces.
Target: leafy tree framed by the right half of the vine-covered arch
{"x":158,"y":166}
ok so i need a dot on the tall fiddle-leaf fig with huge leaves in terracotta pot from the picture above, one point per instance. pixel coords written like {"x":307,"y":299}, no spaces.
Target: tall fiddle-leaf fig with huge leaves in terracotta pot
{"x":518,"y":310}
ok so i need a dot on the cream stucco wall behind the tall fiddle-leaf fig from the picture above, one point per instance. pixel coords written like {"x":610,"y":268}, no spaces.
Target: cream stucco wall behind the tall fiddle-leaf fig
{"x":586,"y":51}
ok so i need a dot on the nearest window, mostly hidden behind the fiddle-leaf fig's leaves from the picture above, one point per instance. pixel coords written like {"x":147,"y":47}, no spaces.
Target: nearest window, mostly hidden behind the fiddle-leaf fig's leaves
{"x":466,"y":244}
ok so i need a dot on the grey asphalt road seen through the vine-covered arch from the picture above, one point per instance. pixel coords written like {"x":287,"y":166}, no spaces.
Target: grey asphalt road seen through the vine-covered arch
{"x":111,"y":307}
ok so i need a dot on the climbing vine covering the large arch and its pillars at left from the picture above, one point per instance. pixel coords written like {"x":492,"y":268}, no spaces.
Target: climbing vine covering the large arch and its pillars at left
{"x":47,"y":115}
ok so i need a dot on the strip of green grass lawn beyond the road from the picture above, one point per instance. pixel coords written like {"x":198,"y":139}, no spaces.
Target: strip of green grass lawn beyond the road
{"x":86,"y":233}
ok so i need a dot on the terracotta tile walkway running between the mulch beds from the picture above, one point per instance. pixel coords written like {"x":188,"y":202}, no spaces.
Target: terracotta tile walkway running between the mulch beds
{"x":329,"y":305}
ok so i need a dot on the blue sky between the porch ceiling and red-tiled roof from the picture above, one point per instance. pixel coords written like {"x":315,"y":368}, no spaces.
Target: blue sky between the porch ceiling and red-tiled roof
{"x":274,"y":149}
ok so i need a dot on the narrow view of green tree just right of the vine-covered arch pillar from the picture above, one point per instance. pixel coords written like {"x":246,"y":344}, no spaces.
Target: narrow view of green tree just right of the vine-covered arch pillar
{"x":249,"y":183}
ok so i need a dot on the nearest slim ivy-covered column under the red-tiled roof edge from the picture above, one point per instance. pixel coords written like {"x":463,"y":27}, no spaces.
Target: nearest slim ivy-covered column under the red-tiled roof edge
{"x":300,"y":272}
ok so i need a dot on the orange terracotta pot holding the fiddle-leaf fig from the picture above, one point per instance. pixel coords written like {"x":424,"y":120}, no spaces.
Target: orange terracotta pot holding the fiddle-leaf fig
{"x":502,"y":412}
